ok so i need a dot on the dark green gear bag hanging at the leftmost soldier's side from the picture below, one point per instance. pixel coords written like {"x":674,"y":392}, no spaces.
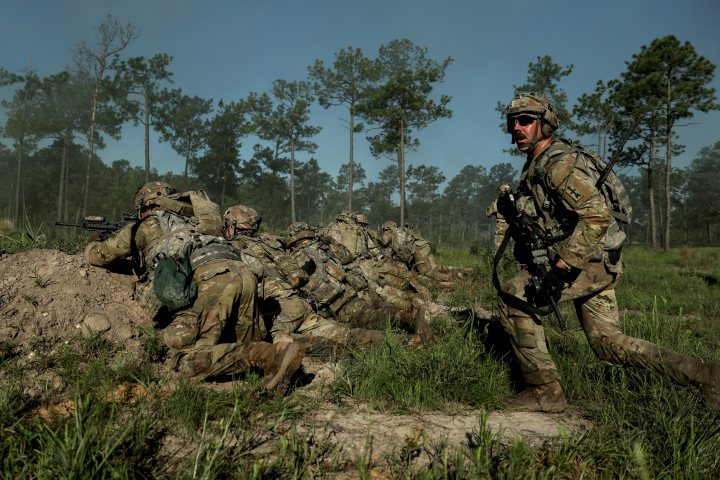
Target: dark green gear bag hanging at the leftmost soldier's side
{"x":174,"y":284}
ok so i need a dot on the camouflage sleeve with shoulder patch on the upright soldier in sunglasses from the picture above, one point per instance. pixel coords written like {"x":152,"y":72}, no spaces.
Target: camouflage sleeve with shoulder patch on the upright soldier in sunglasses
{"x":579,"y":195}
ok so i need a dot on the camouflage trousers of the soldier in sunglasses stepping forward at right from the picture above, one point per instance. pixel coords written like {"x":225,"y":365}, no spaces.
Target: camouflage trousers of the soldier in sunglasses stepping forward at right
{"x":594,"y":297}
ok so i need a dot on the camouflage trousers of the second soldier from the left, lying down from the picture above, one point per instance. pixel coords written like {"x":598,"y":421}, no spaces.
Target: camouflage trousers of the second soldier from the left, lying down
{"x":294,"y":317}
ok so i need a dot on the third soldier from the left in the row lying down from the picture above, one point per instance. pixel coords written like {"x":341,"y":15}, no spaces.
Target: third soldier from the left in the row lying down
{"x":345,"y":292}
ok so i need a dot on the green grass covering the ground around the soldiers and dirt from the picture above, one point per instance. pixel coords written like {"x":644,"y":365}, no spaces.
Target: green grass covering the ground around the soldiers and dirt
{"x":645,"y":426}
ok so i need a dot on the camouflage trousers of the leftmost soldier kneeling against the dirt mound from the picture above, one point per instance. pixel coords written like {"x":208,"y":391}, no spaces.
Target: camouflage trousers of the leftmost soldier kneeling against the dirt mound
{"x":225,"y":306}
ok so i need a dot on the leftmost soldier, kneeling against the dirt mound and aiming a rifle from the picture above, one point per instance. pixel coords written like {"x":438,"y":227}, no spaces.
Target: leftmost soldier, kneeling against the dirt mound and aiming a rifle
{"x":173,"y":229}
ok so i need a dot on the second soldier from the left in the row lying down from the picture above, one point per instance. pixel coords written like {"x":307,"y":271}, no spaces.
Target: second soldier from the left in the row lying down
{"x":279,"y":277}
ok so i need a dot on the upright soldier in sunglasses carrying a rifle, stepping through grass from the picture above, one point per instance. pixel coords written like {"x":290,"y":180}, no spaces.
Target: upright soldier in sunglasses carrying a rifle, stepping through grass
{"x":582,"y":245}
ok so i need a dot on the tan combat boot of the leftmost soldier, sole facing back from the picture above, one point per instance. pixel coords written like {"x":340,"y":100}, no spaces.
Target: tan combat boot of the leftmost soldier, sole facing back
{"x":279,"y":363}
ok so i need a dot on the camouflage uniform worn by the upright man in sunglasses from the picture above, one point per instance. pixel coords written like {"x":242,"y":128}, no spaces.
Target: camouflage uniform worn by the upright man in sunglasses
{"x":557,"y":191}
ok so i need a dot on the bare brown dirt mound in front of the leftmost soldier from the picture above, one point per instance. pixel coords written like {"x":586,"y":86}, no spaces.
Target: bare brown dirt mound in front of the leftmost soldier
{"x":48,"y":297}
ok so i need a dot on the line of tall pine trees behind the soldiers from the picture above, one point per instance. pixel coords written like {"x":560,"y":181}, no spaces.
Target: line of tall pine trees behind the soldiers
{"x":387,"y":99}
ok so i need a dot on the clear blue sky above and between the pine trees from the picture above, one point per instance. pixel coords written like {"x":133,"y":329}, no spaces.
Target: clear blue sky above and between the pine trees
{"x":226,"y":49}
